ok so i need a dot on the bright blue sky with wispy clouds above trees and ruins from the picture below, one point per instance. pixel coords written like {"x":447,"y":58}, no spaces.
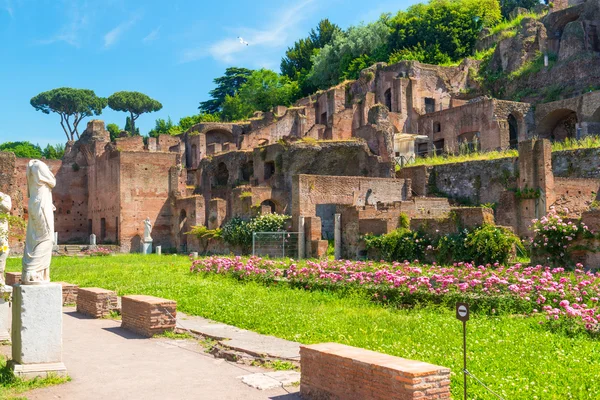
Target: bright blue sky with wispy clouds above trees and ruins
{"x":170,"y":50}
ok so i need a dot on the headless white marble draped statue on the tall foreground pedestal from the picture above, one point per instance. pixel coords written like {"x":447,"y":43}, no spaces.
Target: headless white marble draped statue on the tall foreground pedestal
{"x":40,"y":226}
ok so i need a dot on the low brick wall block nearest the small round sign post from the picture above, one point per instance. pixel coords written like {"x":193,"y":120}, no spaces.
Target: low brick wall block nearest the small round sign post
{"x":336,"y":371}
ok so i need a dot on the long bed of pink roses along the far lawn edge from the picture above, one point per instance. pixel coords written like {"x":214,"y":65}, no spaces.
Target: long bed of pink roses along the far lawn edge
{"x":569,"y":299}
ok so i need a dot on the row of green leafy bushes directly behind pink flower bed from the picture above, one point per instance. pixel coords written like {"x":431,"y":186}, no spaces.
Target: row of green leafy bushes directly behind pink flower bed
{"x":486,"y":244}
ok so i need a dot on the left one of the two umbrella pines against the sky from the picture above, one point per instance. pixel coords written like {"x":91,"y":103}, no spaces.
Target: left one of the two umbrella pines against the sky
{"x":71,"y":104}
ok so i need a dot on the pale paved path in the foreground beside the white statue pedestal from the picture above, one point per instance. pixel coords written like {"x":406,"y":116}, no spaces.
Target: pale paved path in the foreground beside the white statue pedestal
{"x":107,"y":362}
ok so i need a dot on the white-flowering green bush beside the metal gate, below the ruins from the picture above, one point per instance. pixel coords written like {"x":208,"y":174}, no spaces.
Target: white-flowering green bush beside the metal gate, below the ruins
{"x":238,"y":231}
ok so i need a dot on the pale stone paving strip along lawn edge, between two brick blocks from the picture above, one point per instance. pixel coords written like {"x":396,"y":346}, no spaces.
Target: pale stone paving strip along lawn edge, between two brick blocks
{"x":240,"y":339}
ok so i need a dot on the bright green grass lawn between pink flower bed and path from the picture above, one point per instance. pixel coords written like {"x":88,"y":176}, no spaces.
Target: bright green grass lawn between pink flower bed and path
{"x":512,"y":354}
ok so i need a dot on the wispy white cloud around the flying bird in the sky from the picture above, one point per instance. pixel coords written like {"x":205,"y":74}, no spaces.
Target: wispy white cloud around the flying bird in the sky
{"x":228,"y":50}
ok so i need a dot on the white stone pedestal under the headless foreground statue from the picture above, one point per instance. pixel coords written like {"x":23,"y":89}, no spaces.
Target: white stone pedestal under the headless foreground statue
{"x":37,"y":330}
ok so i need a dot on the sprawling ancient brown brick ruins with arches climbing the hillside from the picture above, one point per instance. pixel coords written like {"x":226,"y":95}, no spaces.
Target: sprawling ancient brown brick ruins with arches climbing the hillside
{"x":336,"y":152}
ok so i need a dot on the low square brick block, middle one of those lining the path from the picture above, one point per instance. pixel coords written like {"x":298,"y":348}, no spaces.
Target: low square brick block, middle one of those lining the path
{"x":147,"y":315}
